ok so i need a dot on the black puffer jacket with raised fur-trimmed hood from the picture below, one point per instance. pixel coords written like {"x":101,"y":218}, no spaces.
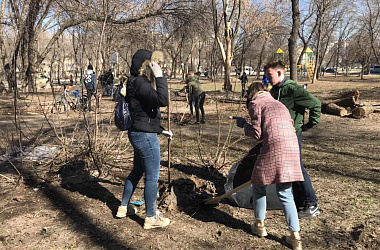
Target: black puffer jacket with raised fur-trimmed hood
{"x":144,"y":101}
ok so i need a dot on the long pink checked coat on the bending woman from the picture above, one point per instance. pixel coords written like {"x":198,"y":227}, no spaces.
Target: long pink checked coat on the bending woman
{"x":279,"y":158}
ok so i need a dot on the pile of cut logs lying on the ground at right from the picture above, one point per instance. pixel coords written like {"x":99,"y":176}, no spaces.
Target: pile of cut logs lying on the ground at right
{"x":348,"y":104}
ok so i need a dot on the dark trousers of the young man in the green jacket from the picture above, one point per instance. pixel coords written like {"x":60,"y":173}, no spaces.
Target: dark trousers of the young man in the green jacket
{"x":304,"y":194}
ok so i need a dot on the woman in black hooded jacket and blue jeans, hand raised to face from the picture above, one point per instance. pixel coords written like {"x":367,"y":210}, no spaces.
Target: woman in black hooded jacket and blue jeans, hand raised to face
{"x":147,"y":91}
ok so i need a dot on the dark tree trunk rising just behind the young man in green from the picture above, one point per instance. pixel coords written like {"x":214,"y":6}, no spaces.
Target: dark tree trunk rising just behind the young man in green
{"x":293,"y":39}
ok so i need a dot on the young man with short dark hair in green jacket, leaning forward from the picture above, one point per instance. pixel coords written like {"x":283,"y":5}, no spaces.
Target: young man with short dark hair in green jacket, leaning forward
{"x":297,"y":99}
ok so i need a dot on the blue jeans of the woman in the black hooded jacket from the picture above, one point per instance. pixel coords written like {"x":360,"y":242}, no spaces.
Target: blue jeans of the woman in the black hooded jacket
{"x":146,"y":160}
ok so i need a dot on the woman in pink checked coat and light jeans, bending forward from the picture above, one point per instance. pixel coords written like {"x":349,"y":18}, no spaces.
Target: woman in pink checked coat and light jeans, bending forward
{"x":278,"y":162}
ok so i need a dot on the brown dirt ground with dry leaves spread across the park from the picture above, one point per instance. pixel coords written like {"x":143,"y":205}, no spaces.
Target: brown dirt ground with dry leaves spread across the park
{"x":61,"y":204}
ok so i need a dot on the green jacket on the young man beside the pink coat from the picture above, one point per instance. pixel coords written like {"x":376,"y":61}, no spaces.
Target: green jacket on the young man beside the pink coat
{"x":296,"y":99}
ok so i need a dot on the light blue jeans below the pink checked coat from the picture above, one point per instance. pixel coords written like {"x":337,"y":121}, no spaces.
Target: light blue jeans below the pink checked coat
{"x":284,"y":193}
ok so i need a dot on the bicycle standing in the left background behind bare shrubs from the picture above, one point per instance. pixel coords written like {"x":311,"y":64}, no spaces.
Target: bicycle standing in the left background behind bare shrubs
{"x":70,"y":100}
